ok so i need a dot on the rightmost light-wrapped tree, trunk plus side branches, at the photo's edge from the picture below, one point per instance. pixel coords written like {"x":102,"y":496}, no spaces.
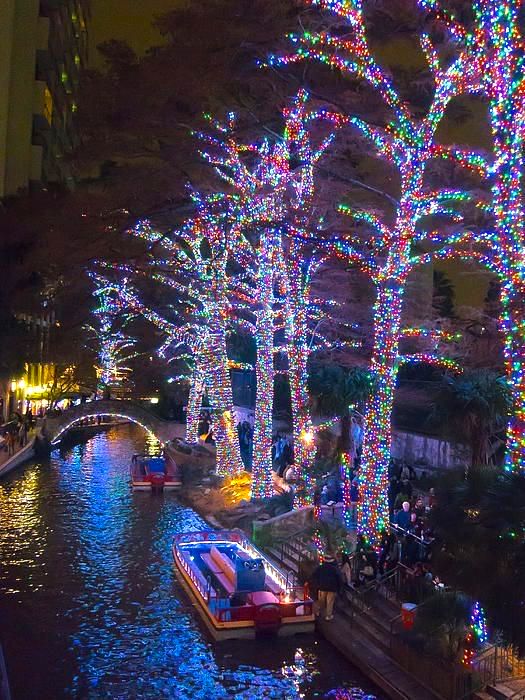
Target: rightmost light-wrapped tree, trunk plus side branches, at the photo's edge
{"x":496,"y":40}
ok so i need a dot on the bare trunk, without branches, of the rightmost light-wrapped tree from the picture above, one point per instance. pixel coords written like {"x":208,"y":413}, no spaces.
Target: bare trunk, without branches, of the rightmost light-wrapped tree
{"x":501,"y":23}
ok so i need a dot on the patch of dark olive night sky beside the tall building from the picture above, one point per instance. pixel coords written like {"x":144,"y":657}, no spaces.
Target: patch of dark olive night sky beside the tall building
{"x":126,"y":19}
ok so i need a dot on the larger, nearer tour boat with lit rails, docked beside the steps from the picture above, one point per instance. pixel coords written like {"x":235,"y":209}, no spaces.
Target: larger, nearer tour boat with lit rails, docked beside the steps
{"x":238,"y":591}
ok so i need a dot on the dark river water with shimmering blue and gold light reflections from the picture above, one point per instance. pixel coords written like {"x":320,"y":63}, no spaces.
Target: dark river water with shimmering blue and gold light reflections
{"x":90,"y":606}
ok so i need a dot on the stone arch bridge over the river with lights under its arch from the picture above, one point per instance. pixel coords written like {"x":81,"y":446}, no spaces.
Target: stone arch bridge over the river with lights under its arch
{"x":54,"y":428}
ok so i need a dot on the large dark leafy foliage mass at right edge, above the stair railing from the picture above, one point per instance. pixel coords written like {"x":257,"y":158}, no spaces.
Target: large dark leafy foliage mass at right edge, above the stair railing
{"x":480,"y":523}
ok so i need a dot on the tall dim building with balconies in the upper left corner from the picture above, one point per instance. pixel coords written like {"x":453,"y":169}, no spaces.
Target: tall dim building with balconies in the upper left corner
{"x":43,"y":48}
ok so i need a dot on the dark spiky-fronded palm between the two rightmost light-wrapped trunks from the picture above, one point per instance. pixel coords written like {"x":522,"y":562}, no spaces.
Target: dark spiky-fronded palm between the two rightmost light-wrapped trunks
{"x":472,"y":407}
